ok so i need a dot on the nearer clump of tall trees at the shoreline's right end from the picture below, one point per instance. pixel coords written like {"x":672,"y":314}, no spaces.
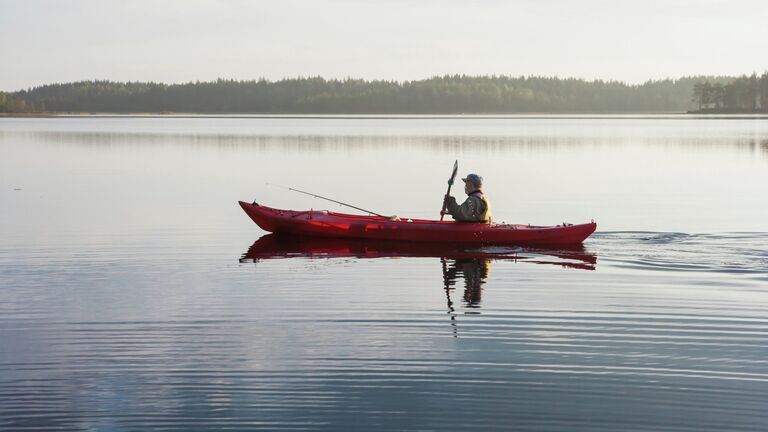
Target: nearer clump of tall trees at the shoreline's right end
{"x":742,"y":94}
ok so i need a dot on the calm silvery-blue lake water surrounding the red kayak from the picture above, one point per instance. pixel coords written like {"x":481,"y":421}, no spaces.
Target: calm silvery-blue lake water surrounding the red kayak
{"x":136,"y":295}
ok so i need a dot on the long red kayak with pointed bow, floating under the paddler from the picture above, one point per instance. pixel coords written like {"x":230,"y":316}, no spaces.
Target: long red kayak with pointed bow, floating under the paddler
{"x":339,"y":225}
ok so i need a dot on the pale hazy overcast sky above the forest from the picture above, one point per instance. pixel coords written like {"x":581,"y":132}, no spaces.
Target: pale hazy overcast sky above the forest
{"x":174,"y":41}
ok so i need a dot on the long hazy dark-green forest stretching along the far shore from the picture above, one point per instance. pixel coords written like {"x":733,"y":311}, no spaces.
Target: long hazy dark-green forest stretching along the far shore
{"x":450,"y":94}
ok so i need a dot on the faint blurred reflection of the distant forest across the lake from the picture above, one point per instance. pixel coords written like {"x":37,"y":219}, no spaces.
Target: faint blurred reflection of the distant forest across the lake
{"x":348,"y":143}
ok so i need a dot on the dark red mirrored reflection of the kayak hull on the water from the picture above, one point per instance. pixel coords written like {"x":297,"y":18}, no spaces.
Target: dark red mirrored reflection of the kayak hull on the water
{"x":273,"y":246}
